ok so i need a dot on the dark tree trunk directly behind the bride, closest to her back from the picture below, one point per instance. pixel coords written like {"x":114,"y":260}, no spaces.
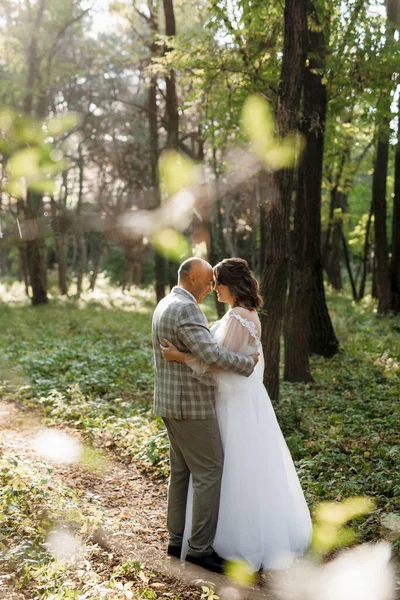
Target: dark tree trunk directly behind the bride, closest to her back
{"x":274,"y":279}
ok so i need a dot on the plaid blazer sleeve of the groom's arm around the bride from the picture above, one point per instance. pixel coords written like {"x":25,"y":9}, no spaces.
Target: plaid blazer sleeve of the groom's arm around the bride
{"x":193,"y":332}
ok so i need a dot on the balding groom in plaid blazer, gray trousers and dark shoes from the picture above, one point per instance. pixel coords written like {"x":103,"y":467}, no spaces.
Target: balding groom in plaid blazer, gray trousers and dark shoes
{"x":187,"y":406}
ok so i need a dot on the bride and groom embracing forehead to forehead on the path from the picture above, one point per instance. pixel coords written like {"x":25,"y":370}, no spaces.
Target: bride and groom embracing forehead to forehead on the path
{"x":233,"y":490}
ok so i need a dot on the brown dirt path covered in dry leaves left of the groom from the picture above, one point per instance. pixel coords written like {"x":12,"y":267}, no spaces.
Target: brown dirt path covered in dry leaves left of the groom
{"x":135,"y":503}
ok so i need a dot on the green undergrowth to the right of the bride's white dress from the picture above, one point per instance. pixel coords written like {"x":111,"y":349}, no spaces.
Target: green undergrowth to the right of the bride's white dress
{"x":343,"y":430}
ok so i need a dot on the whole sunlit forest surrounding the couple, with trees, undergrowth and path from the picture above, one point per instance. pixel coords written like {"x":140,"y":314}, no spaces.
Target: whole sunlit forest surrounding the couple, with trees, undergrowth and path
{"x":134,"y":135}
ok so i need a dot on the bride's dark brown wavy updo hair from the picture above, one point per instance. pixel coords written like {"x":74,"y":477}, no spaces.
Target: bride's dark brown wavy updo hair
{"x":235,"y":273}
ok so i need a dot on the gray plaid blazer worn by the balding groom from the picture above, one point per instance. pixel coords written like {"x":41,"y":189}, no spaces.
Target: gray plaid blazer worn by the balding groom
{"x":177,"y":393}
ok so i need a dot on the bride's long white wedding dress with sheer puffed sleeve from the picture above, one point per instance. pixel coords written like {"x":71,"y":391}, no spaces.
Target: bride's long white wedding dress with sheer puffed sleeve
{"x":263,"y":516}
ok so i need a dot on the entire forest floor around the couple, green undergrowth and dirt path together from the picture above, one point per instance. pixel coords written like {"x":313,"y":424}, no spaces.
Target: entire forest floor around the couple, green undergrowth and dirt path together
{"x":84,"y":367}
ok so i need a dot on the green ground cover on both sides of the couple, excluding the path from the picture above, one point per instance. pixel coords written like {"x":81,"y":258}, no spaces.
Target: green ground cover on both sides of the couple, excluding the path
{"x":88,"y":363}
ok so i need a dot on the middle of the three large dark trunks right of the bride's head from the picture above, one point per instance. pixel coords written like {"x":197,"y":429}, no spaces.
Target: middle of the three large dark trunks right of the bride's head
{"x":307,"y":218}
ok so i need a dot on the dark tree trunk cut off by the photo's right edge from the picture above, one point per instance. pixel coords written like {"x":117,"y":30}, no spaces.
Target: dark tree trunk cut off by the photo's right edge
{"x":395,"y":261}
